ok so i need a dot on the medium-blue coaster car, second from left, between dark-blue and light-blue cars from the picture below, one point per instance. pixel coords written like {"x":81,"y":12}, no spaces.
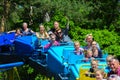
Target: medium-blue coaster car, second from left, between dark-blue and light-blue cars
{"x":25,"y":45}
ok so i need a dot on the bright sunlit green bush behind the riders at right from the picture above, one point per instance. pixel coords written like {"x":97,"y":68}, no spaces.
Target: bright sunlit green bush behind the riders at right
{"x":107,"y":40}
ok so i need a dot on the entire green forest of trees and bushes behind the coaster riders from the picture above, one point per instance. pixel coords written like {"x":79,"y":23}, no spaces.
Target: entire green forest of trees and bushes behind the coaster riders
{"x":99,"y":17}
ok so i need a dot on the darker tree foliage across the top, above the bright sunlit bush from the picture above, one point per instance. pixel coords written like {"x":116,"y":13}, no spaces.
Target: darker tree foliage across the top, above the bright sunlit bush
{"x":86,"y":14}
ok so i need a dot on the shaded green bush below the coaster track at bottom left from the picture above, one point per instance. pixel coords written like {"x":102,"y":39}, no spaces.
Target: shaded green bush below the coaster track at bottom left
{"x":26,"y":72}
